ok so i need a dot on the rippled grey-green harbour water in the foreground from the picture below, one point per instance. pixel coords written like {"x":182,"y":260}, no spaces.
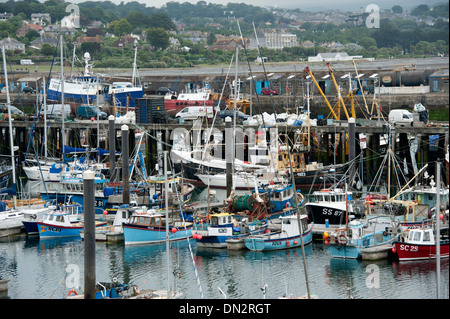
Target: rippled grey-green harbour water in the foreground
{"x":49,"y":269}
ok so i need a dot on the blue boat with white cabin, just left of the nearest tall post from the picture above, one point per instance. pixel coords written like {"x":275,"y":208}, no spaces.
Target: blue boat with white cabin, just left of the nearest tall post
{"x":58,"y":224}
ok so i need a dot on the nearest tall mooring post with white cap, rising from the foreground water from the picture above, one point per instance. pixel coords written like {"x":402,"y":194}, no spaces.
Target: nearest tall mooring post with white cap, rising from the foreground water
{"x":89,"y":234}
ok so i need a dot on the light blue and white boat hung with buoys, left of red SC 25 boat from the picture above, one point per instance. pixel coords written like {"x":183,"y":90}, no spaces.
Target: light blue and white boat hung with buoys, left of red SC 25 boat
{"x":375,"y":231}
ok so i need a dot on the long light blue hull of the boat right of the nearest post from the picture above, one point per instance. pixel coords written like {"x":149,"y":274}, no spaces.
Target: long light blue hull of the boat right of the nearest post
{"x":139,"y":235}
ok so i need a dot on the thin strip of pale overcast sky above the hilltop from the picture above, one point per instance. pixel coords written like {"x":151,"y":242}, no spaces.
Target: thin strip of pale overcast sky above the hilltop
{"x":345,"y":5}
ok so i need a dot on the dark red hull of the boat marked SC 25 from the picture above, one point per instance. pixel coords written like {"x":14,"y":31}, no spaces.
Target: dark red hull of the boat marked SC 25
{"x":406,"y":251}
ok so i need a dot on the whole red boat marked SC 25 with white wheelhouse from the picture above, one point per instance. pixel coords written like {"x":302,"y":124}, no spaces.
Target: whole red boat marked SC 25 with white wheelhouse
{"x":420,"y":243}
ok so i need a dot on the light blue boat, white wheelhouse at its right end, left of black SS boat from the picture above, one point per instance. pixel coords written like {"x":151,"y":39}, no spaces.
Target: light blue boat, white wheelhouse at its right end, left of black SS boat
{"x":286,"y":237}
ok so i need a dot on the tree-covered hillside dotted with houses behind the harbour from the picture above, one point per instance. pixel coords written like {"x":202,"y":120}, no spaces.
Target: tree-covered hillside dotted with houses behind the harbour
{"x":180,"y":34}
